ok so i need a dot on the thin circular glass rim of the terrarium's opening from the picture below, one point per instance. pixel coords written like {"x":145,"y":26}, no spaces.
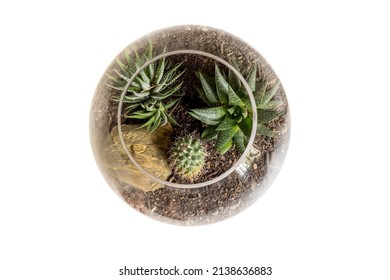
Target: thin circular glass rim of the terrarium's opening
{"x":243,"y":156}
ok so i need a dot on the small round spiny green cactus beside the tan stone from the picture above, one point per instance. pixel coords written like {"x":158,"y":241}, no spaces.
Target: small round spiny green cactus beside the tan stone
{"x":188,"y":156}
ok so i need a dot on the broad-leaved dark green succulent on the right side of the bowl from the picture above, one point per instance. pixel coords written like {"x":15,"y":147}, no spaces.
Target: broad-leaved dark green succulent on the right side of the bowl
{"x":228,"y":116}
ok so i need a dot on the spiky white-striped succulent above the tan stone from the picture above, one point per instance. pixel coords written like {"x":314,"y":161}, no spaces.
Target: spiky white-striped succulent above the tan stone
{"x":149,"y":96}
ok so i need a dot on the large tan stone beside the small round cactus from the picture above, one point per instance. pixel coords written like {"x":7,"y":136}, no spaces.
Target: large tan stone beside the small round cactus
{"x":149,"y":150}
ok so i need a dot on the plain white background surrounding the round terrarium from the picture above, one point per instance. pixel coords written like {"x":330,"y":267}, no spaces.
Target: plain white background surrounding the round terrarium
{"x":325,"y":217}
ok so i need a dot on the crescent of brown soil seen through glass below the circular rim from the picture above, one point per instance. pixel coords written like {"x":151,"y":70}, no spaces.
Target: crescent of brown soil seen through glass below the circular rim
{"x":218,"y":201}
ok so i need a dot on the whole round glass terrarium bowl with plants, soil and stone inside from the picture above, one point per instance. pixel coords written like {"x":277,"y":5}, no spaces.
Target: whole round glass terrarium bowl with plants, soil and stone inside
{"x":189,"y":125}
